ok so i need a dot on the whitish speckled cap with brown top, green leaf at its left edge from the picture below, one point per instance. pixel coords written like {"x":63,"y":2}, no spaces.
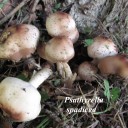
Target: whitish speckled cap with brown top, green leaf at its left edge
{"x":101,"y":48}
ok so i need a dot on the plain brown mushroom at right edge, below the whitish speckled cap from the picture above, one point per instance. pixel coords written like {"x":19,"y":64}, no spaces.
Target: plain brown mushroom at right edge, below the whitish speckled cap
{"x":117,"y":64}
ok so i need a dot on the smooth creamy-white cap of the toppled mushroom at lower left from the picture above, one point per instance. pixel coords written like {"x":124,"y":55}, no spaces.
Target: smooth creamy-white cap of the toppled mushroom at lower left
{"x":19,"y":100}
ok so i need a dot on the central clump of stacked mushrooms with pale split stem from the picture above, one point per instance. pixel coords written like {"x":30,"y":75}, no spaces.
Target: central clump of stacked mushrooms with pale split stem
{"x":59,"y":49}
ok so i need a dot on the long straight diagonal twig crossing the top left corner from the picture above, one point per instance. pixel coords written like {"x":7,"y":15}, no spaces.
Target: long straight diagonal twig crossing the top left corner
{"x":13,"y":11}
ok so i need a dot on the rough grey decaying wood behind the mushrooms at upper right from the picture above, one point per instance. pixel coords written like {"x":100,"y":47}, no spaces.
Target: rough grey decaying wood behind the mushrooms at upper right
{"x":113,"y":15}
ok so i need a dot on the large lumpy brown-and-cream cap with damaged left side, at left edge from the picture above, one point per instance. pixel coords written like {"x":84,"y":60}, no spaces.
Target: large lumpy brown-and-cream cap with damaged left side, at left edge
{"x":18,"y":42}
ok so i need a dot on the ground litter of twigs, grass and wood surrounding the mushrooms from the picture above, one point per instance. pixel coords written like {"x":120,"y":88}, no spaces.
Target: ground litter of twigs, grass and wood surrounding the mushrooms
{"x":93,"y":17}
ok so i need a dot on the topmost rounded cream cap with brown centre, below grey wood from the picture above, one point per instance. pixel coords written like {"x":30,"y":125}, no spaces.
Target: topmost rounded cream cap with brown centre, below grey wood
{"x":59,"y":23}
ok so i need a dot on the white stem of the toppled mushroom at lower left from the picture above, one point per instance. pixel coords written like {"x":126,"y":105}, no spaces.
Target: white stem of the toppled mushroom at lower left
{"x":40,"y":77}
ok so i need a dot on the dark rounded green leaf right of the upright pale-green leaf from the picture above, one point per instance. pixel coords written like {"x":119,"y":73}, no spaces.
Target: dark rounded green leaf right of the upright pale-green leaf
{"x":115,"y":92}
